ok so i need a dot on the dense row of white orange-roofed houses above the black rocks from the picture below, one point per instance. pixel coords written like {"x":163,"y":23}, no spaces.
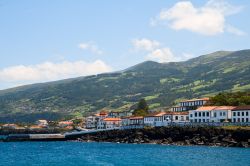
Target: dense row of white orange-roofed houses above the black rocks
{"x":186,"y":112}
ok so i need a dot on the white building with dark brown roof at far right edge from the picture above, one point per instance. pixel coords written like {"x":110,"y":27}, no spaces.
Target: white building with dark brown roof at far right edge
{"x":241,"y":114}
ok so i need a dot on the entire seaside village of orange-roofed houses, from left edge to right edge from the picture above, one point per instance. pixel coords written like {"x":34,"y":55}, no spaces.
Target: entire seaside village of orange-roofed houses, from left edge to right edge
{"x":188,"y":112}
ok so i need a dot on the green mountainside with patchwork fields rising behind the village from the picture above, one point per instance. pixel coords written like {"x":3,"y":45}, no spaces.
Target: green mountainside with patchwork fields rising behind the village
{"x":160,"y":84}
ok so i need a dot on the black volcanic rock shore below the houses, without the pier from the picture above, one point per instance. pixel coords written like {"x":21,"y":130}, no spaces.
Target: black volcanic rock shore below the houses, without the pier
{"x":209,"y":136}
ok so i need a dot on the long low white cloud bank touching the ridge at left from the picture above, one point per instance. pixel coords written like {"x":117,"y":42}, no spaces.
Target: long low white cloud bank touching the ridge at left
{"x":48,"y":71}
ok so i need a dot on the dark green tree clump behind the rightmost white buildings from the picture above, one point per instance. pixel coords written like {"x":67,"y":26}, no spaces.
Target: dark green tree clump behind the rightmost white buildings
{"x":234,"y":99}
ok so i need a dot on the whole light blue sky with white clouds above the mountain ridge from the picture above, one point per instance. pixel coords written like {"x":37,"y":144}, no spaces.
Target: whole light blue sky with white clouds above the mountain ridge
{"x":49,"y":40}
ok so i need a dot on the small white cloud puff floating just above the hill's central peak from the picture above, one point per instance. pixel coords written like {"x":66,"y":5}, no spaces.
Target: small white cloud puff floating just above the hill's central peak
{"x":145,"y":44}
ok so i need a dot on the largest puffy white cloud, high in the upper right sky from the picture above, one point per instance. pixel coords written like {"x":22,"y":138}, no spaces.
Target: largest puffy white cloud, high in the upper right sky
{"x":209,"y":19}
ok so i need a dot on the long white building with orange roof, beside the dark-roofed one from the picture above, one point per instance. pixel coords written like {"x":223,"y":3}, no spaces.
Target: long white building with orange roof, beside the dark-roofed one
{"x":207,"y":114}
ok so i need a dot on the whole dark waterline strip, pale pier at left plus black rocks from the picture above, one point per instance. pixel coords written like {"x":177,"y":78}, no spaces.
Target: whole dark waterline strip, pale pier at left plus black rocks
{"x":171,"y":135}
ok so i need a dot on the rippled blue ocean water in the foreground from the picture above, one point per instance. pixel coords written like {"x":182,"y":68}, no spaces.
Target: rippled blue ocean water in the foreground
{"x":78,"y":153}
